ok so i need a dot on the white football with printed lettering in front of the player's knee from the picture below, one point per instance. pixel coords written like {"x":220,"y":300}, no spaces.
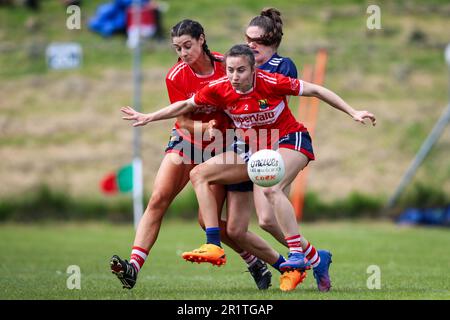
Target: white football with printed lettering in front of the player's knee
{"x":265,"y":168}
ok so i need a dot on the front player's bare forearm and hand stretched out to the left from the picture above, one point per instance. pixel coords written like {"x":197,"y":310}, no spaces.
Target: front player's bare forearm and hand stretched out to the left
{"x":171,"y":111}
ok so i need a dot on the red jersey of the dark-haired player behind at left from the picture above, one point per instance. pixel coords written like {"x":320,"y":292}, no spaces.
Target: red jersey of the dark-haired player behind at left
{"x":182,"y":83}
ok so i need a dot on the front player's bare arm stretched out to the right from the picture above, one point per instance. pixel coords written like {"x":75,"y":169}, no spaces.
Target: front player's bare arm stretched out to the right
{"x":328,"y":96}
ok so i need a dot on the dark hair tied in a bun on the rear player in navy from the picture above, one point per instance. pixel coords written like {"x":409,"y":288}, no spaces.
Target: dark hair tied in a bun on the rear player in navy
{"x":270,"y":21}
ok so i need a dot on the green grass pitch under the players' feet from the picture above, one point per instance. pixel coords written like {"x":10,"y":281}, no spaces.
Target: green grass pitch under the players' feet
{"x":414,"y":263}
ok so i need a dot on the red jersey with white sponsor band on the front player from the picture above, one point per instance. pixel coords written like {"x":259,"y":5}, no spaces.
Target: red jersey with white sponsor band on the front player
{"x":262,"y":107}
